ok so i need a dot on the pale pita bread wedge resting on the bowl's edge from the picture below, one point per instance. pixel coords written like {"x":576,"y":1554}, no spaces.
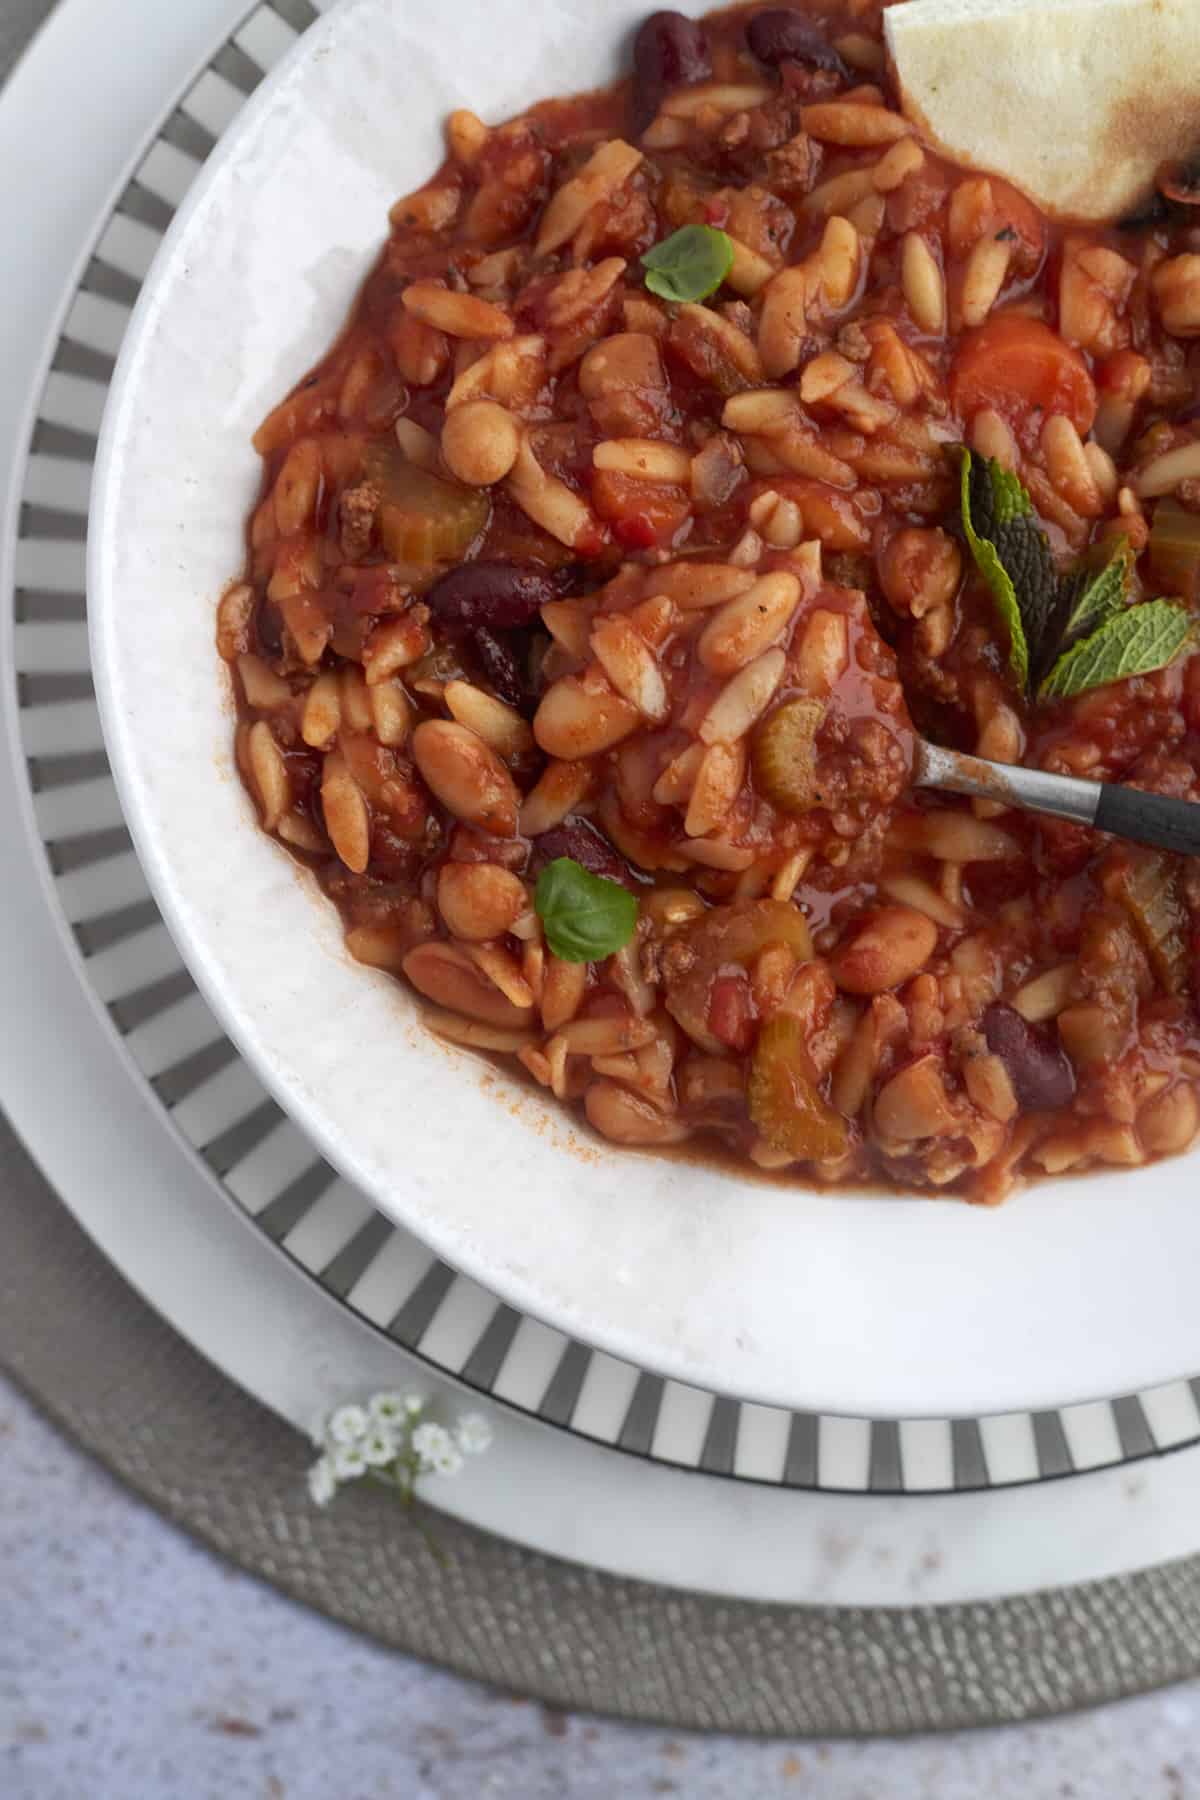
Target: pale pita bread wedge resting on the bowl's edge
{"x":1075,"y":102}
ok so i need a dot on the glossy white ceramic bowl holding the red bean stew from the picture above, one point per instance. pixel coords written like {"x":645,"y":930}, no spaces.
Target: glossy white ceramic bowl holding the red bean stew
{"x":875,"y":1306}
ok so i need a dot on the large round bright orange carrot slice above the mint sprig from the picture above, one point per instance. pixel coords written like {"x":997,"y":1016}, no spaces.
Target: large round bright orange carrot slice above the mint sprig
{"x":1019,"y":366}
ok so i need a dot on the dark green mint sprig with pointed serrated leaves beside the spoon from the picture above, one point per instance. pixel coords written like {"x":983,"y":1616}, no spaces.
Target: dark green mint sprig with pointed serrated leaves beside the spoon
{"x":1068,"y":633}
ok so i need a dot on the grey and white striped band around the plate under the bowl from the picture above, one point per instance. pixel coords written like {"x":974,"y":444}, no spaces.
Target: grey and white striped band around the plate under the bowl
{"x":256,"y":1156}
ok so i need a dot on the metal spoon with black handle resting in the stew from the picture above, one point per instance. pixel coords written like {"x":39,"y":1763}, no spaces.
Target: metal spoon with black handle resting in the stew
{"x":1104,"y":805}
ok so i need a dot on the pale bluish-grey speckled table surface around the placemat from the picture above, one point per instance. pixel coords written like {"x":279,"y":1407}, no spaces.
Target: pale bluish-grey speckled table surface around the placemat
{"x":134,"y":1666}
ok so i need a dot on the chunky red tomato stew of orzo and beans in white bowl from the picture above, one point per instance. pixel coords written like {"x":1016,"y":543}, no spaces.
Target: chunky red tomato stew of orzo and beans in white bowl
{"x":595,"y":595}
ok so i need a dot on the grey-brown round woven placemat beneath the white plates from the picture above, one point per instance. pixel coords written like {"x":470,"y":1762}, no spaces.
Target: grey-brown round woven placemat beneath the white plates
{"x":114,"y":1376}
